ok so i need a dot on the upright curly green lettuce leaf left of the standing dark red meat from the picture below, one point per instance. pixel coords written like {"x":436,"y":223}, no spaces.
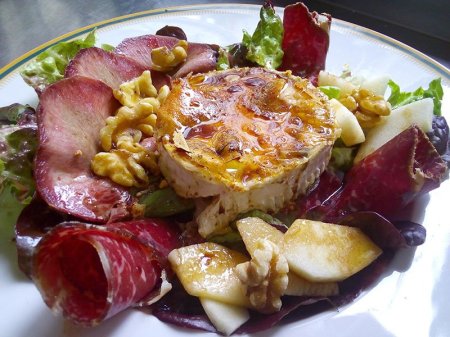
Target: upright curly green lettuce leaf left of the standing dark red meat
{"x":264,"y":46}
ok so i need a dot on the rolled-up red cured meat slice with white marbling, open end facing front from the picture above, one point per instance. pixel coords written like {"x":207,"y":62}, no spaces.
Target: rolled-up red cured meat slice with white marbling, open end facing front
{"x":89,"y":273}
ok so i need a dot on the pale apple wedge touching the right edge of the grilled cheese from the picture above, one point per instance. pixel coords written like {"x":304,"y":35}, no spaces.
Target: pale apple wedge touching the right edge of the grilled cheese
{"x":351,"y":133}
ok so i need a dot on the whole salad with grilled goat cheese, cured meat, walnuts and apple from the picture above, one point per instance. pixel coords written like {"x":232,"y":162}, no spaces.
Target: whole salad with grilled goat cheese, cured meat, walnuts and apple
{"x":147,"y":227}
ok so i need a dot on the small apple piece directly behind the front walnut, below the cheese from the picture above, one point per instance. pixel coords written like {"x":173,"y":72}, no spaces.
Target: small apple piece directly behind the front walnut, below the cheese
{"x":253,"y":229}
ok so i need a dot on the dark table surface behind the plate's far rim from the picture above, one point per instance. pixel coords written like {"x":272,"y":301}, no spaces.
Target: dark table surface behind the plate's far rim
{"x":25,"y":24}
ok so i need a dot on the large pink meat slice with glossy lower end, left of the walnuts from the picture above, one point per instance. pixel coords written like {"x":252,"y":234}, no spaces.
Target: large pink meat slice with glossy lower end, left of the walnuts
{"x":70,"y":115}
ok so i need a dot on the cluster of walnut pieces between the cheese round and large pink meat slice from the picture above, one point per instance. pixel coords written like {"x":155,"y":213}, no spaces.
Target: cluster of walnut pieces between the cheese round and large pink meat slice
{"x":125,"y":160}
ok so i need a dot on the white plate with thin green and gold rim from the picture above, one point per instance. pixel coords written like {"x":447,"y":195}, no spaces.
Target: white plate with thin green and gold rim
{"x":412,"y":300}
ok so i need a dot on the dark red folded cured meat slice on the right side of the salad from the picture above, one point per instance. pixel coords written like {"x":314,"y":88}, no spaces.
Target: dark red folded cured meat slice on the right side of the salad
{"x":389,"y":178}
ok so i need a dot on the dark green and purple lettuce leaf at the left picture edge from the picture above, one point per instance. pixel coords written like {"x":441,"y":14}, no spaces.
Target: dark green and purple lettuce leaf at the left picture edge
{"x":18,"y":143}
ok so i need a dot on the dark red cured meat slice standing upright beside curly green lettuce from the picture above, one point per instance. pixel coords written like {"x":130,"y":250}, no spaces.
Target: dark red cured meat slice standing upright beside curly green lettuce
{"x":305,"y":41}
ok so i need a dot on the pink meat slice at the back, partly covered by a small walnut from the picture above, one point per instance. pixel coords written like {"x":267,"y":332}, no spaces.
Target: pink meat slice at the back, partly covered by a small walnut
{"x":201,"y":57}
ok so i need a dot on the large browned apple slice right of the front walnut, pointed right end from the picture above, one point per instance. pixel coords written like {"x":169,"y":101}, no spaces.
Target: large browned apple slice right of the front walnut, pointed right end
{"x":323,"y":252}
